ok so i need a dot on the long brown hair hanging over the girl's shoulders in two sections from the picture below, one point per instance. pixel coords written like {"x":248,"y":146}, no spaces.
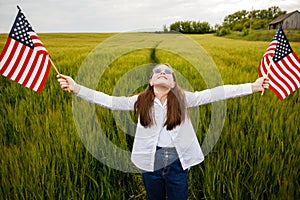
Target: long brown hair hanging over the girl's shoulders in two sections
{"x":176,"y":106}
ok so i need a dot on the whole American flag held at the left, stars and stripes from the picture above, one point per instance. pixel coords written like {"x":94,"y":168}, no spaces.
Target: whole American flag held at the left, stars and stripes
{"x":24,"y":58}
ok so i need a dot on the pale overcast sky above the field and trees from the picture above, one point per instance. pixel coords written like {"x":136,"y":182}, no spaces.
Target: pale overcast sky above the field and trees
{"x":125,"y":15}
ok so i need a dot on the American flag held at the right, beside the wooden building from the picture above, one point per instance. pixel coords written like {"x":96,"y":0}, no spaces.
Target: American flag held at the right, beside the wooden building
{"x":281,"y":65}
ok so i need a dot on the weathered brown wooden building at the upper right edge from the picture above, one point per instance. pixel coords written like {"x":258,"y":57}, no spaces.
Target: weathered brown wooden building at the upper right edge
{"x":288,"y":21}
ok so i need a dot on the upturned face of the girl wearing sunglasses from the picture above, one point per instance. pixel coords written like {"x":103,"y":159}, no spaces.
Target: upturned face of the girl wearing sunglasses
{"x":163,"y":76}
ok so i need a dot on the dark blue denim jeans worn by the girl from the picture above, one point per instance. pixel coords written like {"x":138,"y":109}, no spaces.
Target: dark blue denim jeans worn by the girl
{"x":168,"y":180}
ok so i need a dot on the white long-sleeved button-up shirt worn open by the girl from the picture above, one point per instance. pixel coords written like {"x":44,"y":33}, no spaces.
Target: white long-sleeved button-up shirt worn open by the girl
{"x":182,"y":137}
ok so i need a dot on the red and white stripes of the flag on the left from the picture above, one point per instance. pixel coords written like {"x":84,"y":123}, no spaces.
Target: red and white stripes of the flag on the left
{"x":24,"y":65}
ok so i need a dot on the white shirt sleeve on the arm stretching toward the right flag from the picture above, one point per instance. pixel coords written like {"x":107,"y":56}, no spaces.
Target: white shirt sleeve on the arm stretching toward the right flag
{"x":217,"y":94}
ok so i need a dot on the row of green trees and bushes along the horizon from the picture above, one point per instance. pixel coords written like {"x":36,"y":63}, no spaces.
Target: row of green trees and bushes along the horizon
{"x":242,"y":21}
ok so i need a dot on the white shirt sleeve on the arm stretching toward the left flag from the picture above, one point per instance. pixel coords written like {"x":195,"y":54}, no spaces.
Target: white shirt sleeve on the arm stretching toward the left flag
{"x":107,"y":101}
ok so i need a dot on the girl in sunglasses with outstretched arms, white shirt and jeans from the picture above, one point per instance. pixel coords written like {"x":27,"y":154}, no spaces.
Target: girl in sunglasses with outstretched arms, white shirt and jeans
{"x":165,"y":144}
